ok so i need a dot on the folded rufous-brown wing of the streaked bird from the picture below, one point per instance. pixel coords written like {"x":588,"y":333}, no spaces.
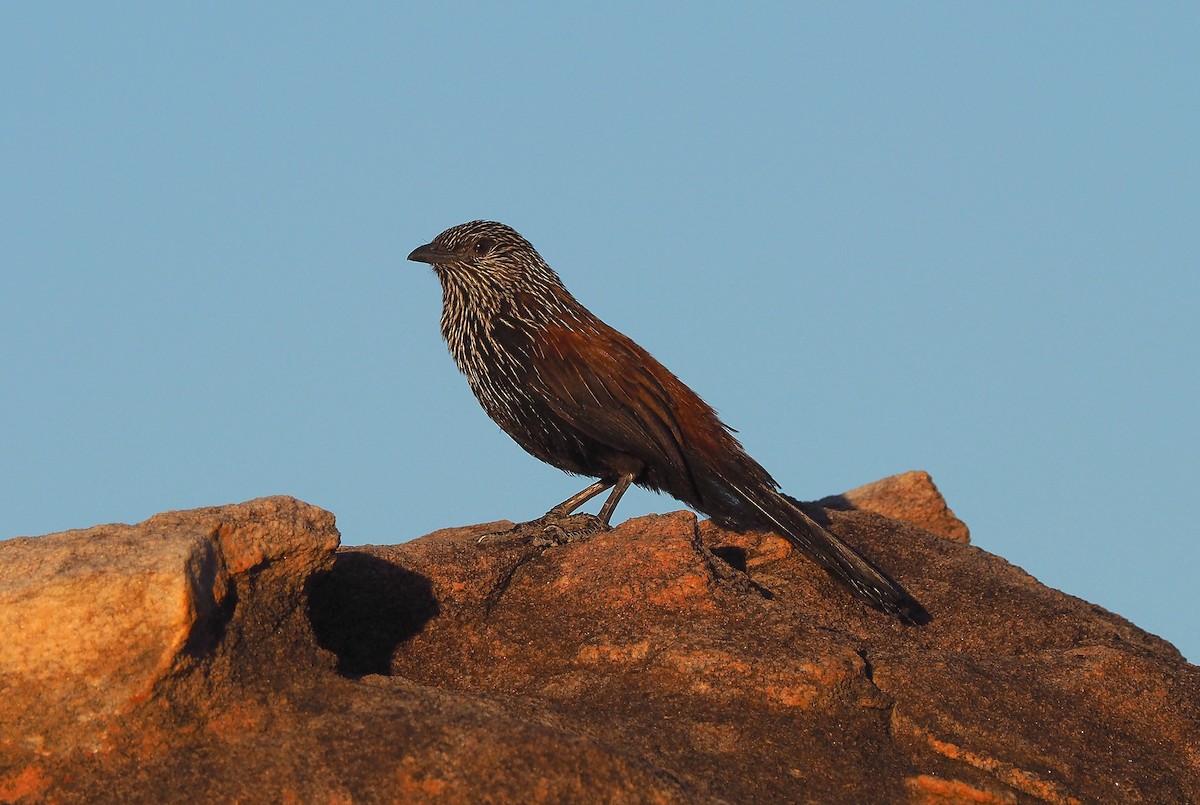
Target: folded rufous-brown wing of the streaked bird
{"x":614,"y":394}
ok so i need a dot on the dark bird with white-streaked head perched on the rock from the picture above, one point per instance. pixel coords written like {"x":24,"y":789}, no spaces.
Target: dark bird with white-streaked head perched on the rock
{"x":579,"y":395}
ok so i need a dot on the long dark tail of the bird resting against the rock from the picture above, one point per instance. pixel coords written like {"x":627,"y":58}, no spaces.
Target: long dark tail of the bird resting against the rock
{"x":842,"y":562}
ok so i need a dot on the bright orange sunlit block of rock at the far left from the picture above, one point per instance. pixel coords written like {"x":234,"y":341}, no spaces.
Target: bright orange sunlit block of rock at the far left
{"x":97,"y":621}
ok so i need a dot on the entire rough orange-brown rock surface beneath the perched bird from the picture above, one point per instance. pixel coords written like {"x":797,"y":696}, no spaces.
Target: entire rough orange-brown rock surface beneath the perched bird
{"x":232,"y":656}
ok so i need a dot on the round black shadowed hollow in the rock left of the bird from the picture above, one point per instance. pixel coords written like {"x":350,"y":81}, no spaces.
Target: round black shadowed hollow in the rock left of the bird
{"x":365,"y":608}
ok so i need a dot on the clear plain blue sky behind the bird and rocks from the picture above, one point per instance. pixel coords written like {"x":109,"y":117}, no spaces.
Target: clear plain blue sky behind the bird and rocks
{"x":953,"y":237}
